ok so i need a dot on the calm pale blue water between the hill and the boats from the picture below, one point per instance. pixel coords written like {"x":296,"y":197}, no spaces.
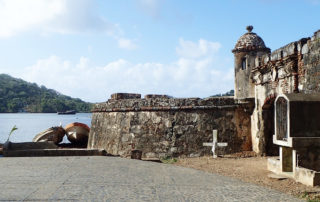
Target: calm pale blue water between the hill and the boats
{"x":30,"y":124}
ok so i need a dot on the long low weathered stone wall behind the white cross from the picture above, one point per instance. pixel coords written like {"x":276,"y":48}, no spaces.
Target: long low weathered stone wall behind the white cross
{"x":161,"y":126}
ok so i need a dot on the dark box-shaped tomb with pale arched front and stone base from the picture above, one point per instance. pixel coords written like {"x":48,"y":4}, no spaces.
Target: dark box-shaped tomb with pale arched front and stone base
{"x":297,"y":132}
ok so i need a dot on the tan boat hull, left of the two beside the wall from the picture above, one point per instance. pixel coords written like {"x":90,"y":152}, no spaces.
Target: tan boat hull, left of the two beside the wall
{"x":53,"y":134}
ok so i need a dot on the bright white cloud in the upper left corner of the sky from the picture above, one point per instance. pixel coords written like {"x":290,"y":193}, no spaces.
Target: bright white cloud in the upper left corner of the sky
{"x":56,"y":16}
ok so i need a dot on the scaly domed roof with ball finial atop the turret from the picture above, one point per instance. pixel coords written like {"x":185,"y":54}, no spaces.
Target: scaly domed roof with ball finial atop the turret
{"x":250,"y":42}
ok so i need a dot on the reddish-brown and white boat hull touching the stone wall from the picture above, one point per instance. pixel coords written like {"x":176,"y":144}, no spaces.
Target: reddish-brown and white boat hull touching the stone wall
{"x":77,"y":133}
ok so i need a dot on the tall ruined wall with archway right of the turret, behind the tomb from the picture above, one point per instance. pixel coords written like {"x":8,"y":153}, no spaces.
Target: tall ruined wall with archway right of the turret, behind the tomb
{"x":294,"y":68}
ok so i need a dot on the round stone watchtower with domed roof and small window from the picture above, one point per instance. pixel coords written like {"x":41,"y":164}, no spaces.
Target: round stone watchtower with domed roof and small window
{"x":247,"y":48}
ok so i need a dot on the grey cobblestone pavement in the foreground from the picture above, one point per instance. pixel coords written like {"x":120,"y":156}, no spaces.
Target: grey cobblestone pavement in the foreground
{"x":98,"y":178}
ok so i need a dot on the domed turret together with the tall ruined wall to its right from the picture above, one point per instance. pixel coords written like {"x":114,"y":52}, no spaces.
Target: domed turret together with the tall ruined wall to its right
{"x":262,"y":75}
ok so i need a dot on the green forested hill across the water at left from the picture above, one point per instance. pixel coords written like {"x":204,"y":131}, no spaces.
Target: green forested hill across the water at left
{"x":17,"y":95}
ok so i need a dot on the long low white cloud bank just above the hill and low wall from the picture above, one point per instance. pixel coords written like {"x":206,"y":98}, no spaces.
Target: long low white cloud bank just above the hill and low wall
{"x":188,"y":76}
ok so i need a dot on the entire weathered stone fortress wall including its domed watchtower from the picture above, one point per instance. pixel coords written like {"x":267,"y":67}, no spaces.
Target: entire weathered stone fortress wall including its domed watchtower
{"x":164,"y":126}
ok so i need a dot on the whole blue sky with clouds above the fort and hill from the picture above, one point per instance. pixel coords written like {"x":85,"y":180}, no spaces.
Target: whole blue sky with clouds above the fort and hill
{"x":92,"y":48}
